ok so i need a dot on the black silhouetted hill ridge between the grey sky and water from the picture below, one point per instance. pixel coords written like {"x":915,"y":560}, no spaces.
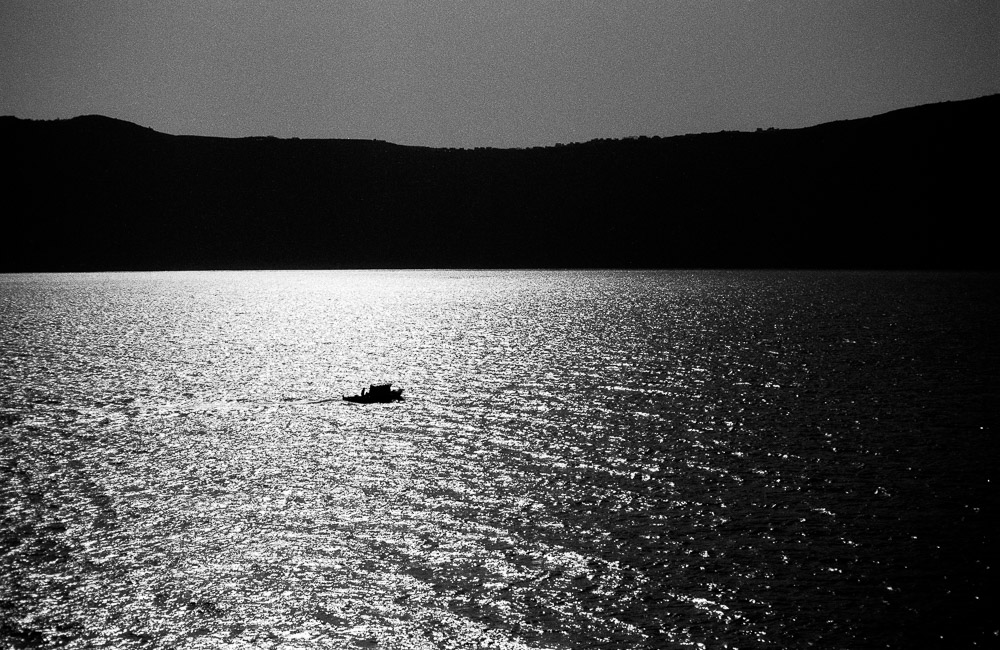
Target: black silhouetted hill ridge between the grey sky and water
{"x":907,"y":189}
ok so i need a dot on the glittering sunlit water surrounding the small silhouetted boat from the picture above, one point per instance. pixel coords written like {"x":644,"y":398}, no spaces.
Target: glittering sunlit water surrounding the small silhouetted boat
{"x":583,"y":459}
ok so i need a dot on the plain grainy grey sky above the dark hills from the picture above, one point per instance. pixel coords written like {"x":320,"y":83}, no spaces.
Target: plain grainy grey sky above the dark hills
{"x":496,"y":73}
